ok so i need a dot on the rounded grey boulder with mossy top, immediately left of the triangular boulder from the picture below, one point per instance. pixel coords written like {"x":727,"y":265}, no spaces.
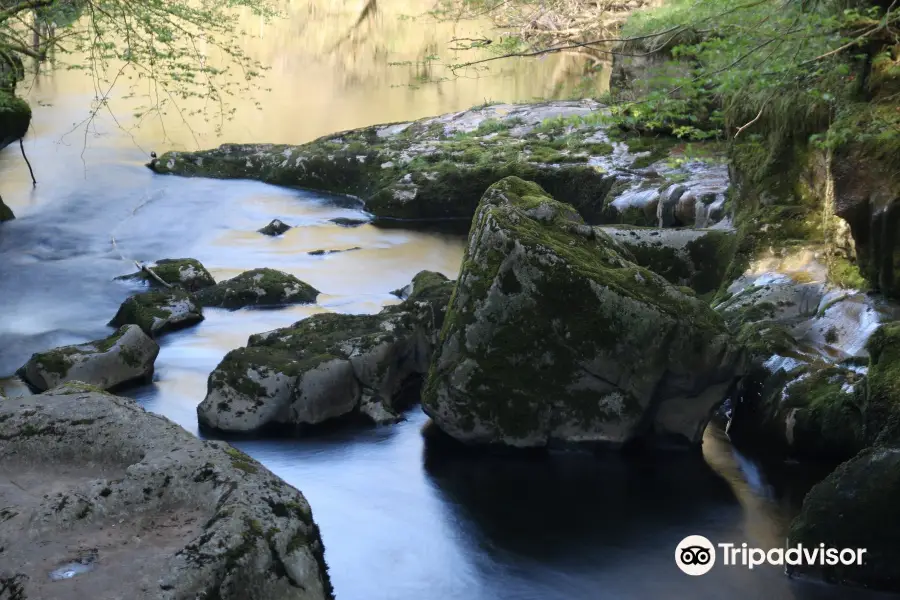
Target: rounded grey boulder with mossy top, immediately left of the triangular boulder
{"x":328,"y":366}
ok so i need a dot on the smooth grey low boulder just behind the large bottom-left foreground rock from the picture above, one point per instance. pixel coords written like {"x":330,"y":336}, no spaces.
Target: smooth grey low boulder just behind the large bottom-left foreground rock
{"x":126,"y":356}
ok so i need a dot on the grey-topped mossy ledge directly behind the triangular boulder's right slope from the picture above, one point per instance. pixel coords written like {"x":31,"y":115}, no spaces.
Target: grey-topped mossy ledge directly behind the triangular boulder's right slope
{"x":696,"y":258}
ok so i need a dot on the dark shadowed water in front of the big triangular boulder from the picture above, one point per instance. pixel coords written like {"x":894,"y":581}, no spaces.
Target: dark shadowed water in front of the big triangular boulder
{"x":577,"y":525}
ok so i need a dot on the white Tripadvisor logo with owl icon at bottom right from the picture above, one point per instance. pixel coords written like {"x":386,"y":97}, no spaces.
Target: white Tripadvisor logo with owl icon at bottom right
{"x":696,"y":555}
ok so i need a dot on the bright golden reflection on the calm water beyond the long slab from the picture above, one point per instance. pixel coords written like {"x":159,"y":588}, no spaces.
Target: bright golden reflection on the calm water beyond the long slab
{"x":331,"y":69}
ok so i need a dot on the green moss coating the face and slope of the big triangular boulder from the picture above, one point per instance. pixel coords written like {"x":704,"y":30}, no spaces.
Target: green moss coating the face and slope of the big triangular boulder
{"x":514,"y":399}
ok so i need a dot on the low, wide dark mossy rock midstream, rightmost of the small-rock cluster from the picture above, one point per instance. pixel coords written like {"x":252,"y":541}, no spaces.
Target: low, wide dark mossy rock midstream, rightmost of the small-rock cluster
{"x":259,"y":287}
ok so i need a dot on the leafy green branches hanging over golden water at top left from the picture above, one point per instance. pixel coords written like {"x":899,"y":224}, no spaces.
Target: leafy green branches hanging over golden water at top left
{"x":166,"y":51}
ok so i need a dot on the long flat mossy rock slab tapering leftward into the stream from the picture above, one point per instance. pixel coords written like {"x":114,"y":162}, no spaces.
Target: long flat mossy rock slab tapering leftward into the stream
{"x":438,"y":168}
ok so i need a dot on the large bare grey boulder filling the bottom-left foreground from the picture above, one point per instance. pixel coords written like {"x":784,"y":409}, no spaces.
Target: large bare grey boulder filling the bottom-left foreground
{"x":167,"y":516}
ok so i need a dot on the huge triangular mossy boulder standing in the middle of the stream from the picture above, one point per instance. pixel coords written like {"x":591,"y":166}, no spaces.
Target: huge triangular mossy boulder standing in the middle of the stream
{"x":554,"y":335}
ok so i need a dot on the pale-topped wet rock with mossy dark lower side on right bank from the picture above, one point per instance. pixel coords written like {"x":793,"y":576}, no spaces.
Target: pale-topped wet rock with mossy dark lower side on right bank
{"x":806,"y":392}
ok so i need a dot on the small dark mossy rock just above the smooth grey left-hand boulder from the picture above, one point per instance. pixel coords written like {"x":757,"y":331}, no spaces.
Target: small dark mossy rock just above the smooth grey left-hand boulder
{"x":159,"y":312}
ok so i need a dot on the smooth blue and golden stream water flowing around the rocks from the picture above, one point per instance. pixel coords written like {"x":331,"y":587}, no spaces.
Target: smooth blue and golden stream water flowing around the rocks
{"x":401,"y":520}
